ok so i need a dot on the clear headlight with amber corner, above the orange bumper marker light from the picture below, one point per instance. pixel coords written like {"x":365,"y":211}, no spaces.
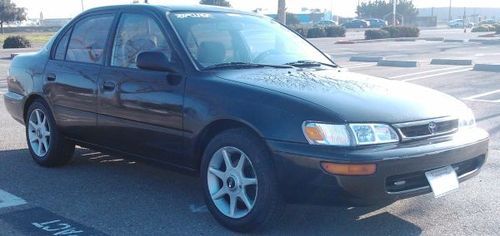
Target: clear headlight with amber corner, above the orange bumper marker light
{"x":348,"y":135}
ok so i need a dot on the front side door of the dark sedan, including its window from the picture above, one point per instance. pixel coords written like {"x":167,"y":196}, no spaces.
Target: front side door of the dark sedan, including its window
{"x":140,"y":111}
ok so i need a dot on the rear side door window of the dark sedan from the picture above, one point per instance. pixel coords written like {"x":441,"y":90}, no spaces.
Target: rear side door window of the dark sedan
{"x":89,"y":39}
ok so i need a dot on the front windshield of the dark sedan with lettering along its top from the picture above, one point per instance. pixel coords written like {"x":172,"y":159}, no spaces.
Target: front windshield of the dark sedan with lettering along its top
{"x":214,"y":38}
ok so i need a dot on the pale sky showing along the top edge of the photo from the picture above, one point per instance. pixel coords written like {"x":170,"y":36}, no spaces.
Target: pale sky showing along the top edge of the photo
{"x":70,"y":8}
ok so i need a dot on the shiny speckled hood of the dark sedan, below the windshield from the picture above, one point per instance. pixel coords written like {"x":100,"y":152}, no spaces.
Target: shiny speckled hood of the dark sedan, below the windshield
{"x":351,"y":96}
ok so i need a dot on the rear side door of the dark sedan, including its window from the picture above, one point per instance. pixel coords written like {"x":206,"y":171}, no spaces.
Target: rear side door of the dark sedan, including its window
{"x":72,"y":72}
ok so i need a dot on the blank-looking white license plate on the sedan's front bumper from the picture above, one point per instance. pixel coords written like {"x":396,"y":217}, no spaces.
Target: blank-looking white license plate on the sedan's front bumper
{"x":442,"y":180}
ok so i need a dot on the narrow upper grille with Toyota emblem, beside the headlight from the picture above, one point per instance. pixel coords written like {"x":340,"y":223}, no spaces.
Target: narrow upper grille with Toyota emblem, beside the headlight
{"x":427,"y":128}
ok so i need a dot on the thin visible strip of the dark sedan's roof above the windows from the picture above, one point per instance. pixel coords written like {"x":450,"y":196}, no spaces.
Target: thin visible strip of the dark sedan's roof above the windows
{"x":172,"y":8}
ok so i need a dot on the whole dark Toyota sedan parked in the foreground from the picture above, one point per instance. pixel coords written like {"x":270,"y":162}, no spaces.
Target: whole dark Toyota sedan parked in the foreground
{"x":258,"y":113}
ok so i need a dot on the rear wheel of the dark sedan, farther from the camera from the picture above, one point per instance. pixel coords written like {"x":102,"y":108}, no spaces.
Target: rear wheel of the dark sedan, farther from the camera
{"x":47,"y":145}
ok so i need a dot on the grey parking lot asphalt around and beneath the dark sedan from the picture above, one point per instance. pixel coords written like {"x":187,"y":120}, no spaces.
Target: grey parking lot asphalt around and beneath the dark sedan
{"x":110,"y":195}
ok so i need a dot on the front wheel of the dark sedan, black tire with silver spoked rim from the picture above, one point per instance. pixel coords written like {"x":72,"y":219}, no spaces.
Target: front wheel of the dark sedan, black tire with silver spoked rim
{"x":264,"y":198}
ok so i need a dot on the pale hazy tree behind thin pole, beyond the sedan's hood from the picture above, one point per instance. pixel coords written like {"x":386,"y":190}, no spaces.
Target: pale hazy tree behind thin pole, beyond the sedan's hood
{"x":383,"y":8}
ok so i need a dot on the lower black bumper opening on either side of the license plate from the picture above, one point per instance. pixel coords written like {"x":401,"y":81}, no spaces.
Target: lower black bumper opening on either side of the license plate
{"x":417,"y":180}
